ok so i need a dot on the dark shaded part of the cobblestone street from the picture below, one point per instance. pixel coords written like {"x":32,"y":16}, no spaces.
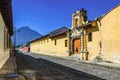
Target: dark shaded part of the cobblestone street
{"x":41,"y":69}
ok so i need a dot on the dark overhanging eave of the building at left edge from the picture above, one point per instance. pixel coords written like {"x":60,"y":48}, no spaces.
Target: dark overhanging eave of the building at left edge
{"x":6,"y":11}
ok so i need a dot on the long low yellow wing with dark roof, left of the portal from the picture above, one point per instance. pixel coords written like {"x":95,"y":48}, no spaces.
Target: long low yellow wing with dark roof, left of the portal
{"x":54,"y":43}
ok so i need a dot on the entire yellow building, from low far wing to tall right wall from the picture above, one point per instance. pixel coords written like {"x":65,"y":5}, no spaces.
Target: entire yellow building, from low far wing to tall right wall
{"x":90,"y":40}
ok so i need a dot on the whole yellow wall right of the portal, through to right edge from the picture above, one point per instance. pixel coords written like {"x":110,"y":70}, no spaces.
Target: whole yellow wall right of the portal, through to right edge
{"x":108,"y":32}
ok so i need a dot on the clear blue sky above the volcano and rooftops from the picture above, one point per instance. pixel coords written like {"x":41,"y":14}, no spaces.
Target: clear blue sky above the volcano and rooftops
{"x":44,"y":16}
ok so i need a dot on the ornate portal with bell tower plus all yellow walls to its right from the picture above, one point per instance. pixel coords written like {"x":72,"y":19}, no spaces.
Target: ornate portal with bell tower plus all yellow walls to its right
{"x":98,"y":39}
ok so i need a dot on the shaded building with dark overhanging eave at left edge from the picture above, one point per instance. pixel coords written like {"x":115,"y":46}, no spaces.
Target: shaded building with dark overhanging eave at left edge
{"x":6,"y":30}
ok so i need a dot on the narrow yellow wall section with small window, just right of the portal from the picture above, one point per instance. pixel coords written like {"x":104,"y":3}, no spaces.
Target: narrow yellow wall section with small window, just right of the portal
{"x":93,"y":46}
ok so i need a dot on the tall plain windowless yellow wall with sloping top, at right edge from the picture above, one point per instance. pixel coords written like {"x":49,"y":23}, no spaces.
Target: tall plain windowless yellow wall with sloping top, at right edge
{"x":110,"y":31}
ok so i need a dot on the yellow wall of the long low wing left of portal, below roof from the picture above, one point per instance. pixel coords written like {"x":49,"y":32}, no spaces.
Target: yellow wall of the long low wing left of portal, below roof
{"x":46,"y":46}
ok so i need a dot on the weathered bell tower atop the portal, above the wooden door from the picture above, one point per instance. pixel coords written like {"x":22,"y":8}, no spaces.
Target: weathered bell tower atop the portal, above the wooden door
{"x":79,"y":17}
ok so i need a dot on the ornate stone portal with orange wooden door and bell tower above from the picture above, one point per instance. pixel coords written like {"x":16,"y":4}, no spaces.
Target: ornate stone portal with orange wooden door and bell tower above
{"x":77,"y":34}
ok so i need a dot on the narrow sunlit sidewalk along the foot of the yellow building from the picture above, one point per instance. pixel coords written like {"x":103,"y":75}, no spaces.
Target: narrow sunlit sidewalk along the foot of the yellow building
{"x":102,"y":64}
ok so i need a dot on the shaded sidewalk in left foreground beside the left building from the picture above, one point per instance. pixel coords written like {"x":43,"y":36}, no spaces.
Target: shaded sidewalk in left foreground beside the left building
{"x":8,"y":71}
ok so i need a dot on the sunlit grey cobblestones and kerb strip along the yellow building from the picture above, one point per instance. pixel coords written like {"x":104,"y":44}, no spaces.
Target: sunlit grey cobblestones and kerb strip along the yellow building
{"x":104,"y":70}
